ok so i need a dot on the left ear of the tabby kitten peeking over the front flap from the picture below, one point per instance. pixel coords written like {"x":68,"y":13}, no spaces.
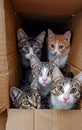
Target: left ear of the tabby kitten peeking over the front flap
{"x":15,"y":93}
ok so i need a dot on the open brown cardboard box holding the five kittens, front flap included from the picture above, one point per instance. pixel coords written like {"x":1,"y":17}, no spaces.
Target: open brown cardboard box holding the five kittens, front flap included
{"x":10,"y":67}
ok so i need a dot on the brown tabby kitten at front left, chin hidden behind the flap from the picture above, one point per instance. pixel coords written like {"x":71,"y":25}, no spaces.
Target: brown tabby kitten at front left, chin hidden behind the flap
{"x":29,"y":99}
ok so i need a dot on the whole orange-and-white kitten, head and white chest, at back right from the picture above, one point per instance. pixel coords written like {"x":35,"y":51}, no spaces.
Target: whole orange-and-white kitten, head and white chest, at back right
{"x":59,"y":45}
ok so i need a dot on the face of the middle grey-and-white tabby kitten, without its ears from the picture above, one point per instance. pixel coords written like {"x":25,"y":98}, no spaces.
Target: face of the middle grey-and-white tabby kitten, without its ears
{"x":44,"y":74}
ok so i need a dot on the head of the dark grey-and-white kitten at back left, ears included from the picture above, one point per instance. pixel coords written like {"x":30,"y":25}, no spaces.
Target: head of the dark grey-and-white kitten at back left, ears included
{"x":28,"y":45}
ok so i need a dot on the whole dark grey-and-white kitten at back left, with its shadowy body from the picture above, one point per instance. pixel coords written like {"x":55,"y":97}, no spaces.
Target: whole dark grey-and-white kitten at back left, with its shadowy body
{"x":27,"y":46}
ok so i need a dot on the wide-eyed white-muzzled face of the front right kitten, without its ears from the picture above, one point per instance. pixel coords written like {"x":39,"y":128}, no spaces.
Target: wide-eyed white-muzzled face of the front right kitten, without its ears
{"x":67,"y":91}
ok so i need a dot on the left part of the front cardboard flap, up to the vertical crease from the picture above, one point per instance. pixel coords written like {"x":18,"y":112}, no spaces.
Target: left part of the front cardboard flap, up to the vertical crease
{"x":19,"y":119}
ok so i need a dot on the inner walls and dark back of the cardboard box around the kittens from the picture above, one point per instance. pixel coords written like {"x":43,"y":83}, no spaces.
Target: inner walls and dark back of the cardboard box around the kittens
{"x":13,"y":16}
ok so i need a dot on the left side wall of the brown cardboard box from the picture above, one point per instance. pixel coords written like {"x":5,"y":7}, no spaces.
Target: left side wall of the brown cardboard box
{"x":9,"y":62}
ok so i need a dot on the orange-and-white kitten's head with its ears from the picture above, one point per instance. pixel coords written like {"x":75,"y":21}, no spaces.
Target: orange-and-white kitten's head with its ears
{"x":58,"y":44}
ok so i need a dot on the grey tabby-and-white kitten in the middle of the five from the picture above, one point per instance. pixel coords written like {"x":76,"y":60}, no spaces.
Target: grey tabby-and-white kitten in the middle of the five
{"x":42,"y":74}
